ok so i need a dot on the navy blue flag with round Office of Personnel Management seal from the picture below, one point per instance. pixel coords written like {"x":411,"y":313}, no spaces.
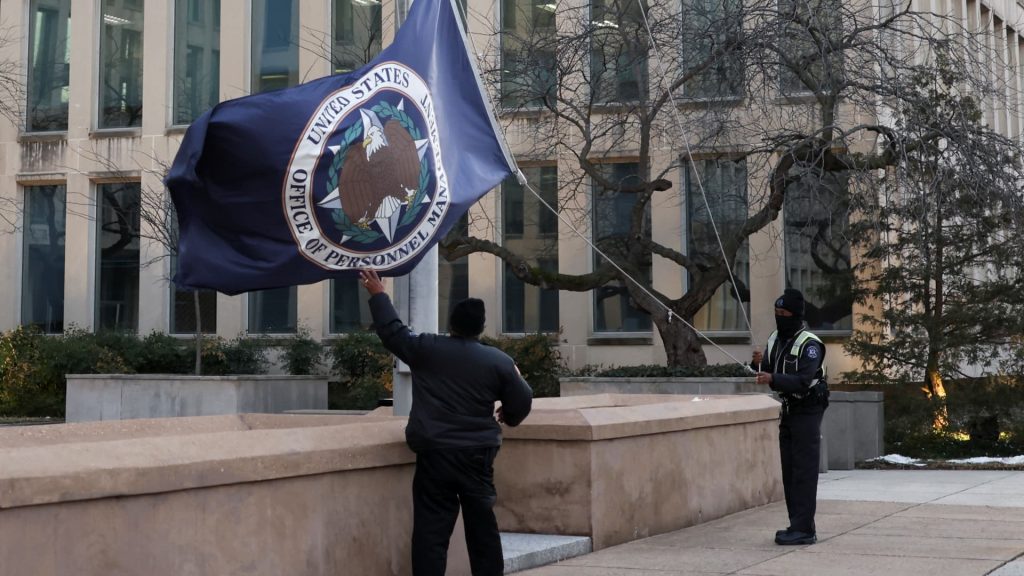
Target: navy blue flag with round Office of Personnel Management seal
{"x":368,"y":170}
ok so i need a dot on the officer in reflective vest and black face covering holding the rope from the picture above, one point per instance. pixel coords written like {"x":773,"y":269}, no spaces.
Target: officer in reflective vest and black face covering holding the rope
{"x":794,"y":368}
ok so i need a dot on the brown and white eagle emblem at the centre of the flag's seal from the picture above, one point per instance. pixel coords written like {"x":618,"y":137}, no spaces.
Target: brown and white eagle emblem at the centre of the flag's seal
{"x":380,"y":175}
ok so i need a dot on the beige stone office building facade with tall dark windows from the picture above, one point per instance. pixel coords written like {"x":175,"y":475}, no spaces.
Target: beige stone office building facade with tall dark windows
{"x":112,"y":86}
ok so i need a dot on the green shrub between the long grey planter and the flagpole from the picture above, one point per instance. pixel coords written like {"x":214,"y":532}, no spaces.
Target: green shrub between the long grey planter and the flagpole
{"x":363,"y":369}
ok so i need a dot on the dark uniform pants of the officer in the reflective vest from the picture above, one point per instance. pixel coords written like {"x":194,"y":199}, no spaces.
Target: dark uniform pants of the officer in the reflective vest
{"x":800,"y":445}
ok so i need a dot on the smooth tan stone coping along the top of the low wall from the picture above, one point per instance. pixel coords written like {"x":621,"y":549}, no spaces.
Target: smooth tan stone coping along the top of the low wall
{"x":81,"y":462}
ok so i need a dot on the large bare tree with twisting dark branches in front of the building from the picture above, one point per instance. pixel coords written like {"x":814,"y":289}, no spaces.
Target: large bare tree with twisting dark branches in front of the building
{"x":805,"y":95}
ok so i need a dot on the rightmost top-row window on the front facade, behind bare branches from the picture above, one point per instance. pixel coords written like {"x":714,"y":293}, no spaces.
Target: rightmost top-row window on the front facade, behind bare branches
{"x":813,"y":28}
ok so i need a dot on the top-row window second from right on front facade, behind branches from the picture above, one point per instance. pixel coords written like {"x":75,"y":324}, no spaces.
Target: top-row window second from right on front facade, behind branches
{"x":710,"y":27}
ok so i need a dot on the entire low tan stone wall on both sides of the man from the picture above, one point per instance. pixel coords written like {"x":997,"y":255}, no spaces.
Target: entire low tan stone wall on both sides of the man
{"x":327,"y":496}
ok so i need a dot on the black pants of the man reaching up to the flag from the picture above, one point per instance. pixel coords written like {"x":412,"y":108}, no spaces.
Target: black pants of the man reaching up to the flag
{"x":445,"y":479}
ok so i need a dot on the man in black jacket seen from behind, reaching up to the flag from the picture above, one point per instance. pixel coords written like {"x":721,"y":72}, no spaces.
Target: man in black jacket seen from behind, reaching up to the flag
{"x":454,"y":429}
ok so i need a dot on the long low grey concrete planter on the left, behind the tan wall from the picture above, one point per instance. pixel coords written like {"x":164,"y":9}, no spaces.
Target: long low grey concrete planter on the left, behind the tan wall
{"x":122,"y":397}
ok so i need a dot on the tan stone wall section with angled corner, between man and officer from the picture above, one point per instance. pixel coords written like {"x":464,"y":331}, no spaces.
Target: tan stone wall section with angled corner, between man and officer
{"x":619,"y":468}
